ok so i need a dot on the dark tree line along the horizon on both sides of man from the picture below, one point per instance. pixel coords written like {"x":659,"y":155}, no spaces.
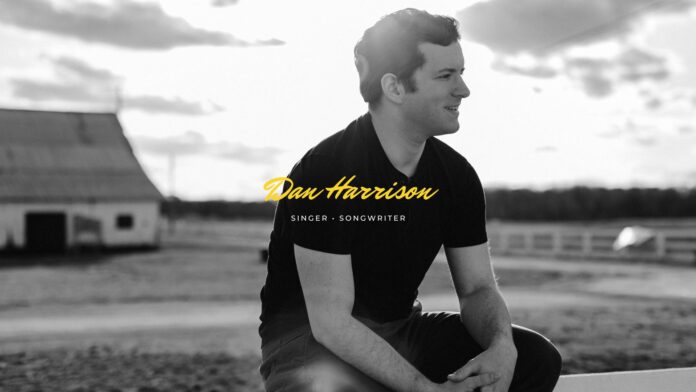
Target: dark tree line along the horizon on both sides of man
{"x":576,"y":204}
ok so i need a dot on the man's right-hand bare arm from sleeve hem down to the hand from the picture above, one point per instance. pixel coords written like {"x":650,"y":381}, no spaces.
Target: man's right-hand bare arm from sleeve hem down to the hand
{"x":484,"y":313}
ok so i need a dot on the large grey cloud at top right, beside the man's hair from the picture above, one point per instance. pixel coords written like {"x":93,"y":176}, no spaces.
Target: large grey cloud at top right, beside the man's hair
{"x":510,"y":27}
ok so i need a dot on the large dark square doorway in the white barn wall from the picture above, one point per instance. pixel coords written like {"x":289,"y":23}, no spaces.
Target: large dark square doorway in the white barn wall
{"x":45,"y":232}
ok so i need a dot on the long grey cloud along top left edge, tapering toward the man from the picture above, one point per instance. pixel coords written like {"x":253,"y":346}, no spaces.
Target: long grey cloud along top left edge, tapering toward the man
{"x":125,"y":24}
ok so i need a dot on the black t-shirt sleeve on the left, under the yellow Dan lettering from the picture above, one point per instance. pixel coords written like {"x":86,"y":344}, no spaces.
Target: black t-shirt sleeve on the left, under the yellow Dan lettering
{"x":315,"y":224}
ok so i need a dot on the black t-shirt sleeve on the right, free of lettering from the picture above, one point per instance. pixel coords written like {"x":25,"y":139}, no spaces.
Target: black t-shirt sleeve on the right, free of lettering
{"x":467,"y":223}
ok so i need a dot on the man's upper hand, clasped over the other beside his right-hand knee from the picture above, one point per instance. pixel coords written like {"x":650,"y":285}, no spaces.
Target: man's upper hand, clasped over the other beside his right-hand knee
{"x":497,"y":362}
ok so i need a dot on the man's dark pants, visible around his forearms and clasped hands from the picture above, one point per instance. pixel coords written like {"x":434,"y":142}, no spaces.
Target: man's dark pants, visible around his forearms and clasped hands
{"x":435,"y":343}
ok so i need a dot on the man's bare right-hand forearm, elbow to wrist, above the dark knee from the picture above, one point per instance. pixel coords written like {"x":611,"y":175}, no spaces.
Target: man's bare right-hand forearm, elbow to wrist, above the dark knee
{"x":486,"y":317}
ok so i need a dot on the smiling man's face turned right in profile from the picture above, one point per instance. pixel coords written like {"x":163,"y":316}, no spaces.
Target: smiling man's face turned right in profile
{"x":434,"y":107}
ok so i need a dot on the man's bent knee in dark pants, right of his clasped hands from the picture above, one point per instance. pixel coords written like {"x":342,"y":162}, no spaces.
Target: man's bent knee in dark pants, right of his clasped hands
{"x":538,"y":362}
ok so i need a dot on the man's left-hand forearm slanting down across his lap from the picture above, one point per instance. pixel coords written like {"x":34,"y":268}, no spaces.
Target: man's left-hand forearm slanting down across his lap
{"x":359,"y":346}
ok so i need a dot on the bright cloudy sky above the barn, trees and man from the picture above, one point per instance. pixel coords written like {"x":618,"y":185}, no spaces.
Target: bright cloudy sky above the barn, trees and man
{"x":219,"y":96}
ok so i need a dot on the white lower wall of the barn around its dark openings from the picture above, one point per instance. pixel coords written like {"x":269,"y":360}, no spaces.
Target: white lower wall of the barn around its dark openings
{"x":144,"y":231}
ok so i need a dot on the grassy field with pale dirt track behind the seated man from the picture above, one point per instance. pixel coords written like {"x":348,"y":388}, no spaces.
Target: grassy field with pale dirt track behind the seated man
{"x":184,"y":318}
